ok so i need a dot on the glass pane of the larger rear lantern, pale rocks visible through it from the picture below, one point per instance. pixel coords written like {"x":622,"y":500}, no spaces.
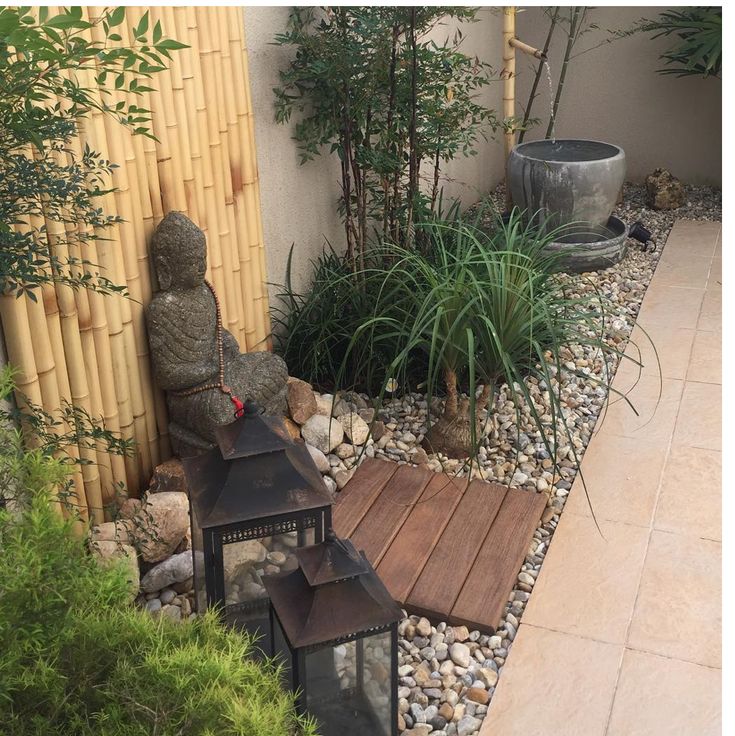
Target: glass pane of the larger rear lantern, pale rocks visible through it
{"x":246,"y":564}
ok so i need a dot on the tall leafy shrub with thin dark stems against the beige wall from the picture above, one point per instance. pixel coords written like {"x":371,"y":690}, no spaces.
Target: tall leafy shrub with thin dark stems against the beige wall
{"x":369,"y":84}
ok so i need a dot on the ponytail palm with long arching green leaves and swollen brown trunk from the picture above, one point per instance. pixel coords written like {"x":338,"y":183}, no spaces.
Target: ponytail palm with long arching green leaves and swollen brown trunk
{"x":474,"y":310}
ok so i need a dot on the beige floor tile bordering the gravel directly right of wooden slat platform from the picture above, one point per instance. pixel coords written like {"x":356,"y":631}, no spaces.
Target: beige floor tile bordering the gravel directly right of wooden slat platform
{"x":588,"y":582}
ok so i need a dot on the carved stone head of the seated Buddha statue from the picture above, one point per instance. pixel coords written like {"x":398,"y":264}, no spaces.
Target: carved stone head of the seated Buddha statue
{"x":179,"y":251}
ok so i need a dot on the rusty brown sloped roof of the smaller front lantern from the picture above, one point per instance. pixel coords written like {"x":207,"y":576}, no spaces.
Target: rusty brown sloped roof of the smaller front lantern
{"x":318,"y":614}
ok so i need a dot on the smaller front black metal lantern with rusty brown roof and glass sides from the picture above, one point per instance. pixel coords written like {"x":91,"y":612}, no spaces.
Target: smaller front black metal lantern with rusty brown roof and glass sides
{"x":338,"y":627}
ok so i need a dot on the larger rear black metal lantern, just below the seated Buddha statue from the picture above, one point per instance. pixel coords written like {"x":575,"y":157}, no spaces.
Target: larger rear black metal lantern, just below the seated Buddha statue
{"x":254,"y":500}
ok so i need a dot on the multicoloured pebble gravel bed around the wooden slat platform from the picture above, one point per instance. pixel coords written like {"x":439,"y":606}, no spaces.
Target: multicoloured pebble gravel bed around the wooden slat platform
{"x":448,"y":675}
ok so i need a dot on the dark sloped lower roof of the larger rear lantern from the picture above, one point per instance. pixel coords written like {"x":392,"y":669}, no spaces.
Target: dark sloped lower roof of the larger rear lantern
{"x":252,"y":487}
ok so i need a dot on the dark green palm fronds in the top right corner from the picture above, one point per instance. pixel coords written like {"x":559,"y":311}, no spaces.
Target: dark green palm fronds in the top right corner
{"x":698,"y":51}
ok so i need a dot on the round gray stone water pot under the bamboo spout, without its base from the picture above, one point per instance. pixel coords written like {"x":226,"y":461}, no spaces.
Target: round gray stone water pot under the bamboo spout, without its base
{"x":566,"y":181}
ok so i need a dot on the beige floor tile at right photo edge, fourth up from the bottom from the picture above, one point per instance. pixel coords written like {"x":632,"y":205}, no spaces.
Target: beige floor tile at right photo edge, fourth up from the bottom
{"x":699,"y":423}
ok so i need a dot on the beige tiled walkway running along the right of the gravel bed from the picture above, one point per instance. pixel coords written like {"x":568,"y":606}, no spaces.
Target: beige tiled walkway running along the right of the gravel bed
{"x":621,"y":636}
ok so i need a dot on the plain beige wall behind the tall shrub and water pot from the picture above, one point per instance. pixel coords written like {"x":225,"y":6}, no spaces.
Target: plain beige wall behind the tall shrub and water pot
{"x":612,"y":93}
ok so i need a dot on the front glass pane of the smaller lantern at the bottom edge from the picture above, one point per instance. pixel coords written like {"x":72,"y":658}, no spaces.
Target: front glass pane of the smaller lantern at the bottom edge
{"x":338,"y":694}
